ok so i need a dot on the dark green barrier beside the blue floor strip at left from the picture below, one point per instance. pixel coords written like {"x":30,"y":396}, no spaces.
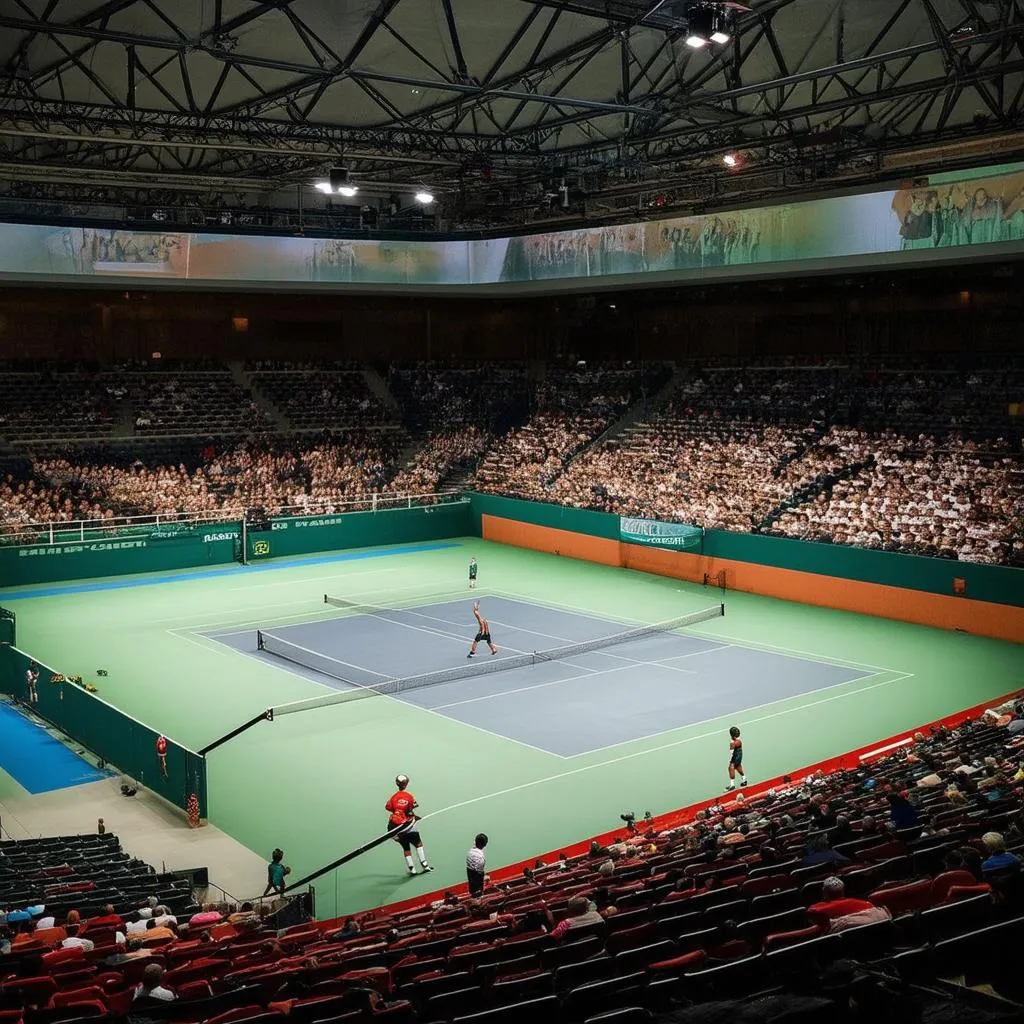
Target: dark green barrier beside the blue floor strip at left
{"x":109,"y":734}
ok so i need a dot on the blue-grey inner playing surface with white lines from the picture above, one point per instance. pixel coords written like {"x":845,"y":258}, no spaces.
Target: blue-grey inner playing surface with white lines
{"x":568,"y":708}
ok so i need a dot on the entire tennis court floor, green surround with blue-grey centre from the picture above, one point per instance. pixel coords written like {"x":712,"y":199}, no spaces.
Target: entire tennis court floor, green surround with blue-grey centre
{"x":537,"y":757}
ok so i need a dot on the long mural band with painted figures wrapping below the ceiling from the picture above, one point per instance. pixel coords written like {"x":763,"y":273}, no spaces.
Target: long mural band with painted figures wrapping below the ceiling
{"x":977,"y":208}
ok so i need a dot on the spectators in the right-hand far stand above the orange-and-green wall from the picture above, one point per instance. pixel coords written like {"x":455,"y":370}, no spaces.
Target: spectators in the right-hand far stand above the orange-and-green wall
{"x":761,"y":451}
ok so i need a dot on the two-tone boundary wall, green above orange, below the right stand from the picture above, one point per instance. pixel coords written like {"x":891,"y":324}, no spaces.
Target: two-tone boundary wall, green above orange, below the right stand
{"x":988,"y":601}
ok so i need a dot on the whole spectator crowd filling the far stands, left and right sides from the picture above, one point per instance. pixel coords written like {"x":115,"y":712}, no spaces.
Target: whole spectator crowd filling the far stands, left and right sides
{"x":825,"y":452}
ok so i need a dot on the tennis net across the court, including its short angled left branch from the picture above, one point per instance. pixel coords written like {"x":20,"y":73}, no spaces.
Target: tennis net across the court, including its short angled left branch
{"x":367,"y":684}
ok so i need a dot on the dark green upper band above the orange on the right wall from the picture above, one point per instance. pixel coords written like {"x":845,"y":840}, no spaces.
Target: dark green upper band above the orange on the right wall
{"x":998,"y":584}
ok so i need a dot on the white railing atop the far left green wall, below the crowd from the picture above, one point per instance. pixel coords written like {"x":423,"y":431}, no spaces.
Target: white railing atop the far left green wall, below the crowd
{"x":172,"y":524}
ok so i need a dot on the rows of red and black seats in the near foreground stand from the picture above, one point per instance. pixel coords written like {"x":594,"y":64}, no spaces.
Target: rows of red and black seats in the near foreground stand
{"x":732,"y":902}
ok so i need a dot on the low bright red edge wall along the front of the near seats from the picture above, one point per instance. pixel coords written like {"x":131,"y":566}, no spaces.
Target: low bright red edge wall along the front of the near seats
{"x":686,"y":816}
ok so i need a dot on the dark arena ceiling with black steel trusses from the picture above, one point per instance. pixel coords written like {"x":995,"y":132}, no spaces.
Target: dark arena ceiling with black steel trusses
{"x":510,"y":112}
